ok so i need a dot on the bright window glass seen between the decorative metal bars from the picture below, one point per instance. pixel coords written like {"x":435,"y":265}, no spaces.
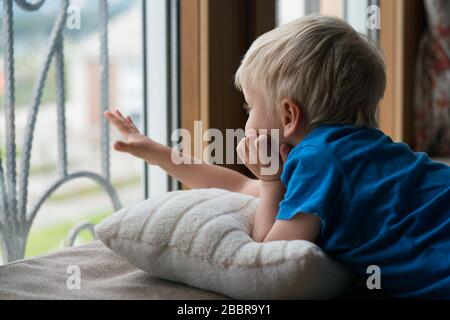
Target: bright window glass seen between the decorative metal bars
{"x":81,"y":199}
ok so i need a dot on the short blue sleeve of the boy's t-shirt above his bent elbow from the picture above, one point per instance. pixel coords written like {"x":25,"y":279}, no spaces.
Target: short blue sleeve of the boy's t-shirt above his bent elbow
{"x":313,"y":182}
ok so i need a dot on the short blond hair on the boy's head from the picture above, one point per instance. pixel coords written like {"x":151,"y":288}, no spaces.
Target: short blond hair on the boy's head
{"x":335,"y":73}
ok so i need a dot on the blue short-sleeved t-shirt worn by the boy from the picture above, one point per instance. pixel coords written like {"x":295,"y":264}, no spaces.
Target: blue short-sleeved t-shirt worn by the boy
{"x":379,"y":203}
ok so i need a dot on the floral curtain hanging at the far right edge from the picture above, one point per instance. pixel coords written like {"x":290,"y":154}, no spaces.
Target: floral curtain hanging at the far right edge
{"x":432,"y":101}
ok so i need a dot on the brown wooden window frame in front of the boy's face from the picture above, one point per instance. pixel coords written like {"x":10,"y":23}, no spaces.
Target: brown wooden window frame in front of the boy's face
{"x":214,"y":37}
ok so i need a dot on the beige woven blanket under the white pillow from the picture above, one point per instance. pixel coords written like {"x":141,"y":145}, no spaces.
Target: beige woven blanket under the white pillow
{"x":102,"y":275}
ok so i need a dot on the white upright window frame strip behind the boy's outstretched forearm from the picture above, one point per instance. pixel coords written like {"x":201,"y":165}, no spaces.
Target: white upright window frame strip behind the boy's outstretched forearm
{"x":162,"y":83}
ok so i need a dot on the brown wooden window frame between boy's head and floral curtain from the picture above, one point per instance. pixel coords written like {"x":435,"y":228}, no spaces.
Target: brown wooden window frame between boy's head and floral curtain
{"x":402,"y":24}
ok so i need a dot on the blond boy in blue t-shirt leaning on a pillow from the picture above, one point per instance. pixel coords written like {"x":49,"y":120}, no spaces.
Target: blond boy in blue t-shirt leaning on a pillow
{"x":344,"y":185}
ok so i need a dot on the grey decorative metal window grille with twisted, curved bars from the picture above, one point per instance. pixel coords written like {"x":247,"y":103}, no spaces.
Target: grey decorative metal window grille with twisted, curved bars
{"x":15,"y":219}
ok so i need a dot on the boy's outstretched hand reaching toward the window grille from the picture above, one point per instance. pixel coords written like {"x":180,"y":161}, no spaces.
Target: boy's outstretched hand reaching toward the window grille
{"x":134,"y":142}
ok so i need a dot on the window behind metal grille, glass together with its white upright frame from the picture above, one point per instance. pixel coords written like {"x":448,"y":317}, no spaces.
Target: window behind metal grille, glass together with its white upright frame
{"x":143,"y":93}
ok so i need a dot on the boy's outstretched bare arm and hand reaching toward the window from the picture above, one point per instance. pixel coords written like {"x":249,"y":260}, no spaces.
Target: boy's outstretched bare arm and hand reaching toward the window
{"x":194,"y":176}
